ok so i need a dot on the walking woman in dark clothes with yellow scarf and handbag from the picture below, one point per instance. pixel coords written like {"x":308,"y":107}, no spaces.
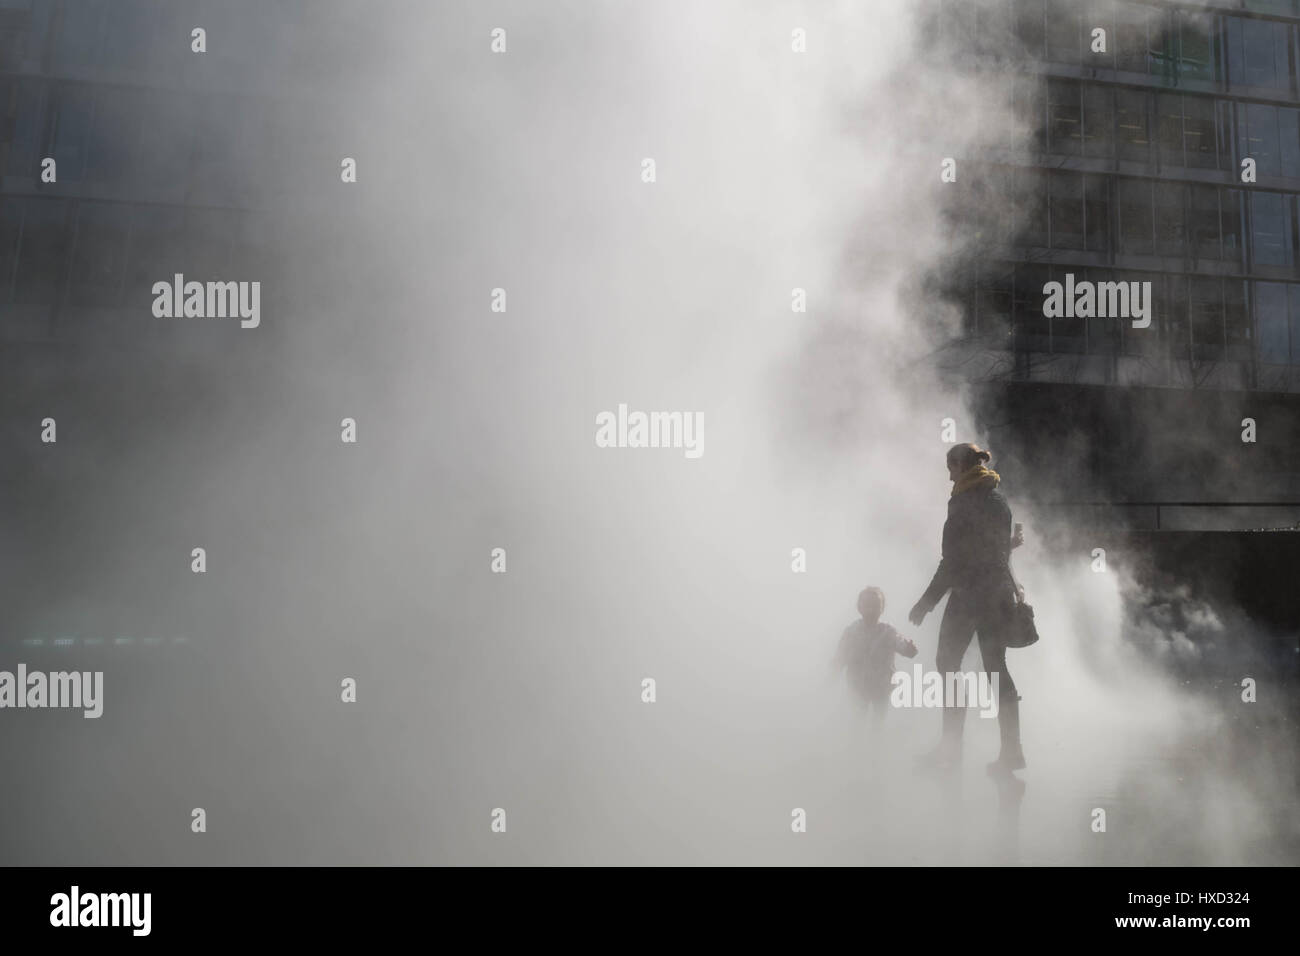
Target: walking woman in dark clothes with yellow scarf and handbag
{"x":976,"y":566}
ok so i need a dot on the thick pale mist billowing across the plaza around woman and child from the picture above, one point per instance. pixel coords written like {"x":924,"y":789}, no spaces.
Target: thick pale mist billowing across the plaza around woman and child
{"x":822,"y":431}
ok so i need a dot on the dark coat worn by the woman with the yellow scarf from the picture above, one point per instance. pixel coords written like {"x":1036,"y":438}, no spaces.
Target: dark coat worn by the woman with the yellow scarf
{"x":977,"y":548}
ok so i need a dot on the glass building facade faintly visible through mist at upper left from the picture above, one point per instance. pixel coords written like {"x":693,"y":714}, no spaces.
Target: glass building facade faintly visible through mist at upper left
{"x":163,"y":158}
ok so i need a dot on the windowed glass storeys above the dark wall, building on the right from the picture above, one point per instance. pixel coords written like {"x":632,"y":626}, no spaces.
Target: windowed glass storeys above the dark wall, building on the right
{"x":1134,"y":172}
